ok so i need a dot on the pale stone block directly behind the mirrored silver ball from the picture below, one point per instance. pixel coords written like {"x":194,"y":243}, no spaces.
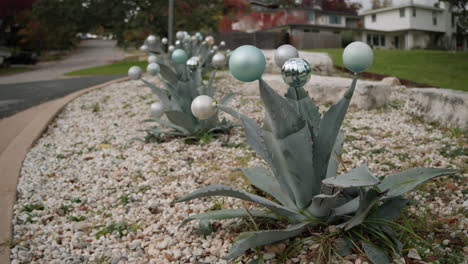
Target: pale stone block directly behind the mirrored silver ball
{"x":320,"y":63}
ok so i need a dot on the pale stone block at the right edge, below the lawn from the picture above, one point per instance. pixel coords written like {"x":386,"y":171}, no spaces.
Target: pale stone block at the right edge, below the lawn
{"x":447,"y":107}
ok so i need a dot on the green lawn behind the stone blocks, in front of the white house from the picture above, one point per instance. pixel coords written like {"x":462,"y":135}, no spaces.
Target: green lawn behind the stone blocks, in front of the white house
{"x":437,"y":68}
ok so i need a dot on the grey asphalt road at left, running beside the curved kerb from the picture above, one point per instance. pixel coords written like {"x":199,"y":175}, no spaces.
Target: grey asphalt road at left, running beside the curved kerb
{"x":21,"y":91}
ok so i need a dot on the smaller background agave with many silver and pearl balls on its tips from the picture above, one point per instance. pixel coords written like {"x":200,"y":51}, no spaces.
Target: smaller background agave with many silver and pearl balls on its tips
{"x":182,"y":78}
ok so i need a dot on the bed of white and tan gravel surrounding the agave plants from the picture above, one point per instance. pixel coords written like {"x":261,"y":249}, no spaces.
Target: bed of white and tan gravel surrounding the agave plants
{"x":86,"y":173}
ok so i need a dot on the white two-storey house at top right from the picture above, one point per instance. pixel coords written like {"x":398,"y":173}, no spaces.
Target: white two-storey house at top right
{"x":409,"y":26}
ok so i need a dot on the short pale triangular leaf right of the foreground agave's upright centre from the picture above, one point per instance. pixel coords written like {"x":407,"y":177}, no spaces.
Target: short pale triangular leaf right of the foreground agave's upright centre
{"x":357,"y":177}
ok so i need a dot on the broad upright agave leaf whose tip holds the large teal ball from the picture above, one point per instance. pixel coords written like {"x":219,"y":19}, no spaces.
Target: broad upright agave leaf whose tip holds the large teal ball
{"x":282,"y":118}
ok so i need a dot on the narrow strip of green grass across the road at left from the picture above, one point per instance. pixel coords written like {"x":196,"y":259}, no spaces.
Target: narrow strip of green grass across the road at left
{"x":119,"y":67}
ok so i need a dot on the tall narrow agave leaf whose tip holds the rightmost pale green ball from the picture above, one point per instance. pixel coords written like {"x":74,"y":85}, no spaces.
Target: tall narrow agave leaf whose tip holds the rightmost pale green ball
{"x":329,"y":128}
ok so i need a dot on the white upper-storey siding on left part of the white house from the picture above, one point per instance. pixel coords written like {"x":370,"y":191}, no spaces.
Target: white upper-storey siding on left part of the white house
{"x":388,"y":21}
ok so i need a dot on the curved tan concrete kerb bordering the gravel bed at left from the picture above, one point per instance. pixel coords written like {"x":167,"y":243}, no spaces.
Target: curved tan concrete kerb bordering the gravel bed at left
{"x":18,"y":135}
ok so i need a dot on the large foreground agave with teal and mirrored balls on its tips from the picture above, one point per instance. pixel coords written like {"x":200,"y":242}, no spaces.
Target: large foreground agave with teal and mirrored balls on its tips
{"x":300,"y":147}
